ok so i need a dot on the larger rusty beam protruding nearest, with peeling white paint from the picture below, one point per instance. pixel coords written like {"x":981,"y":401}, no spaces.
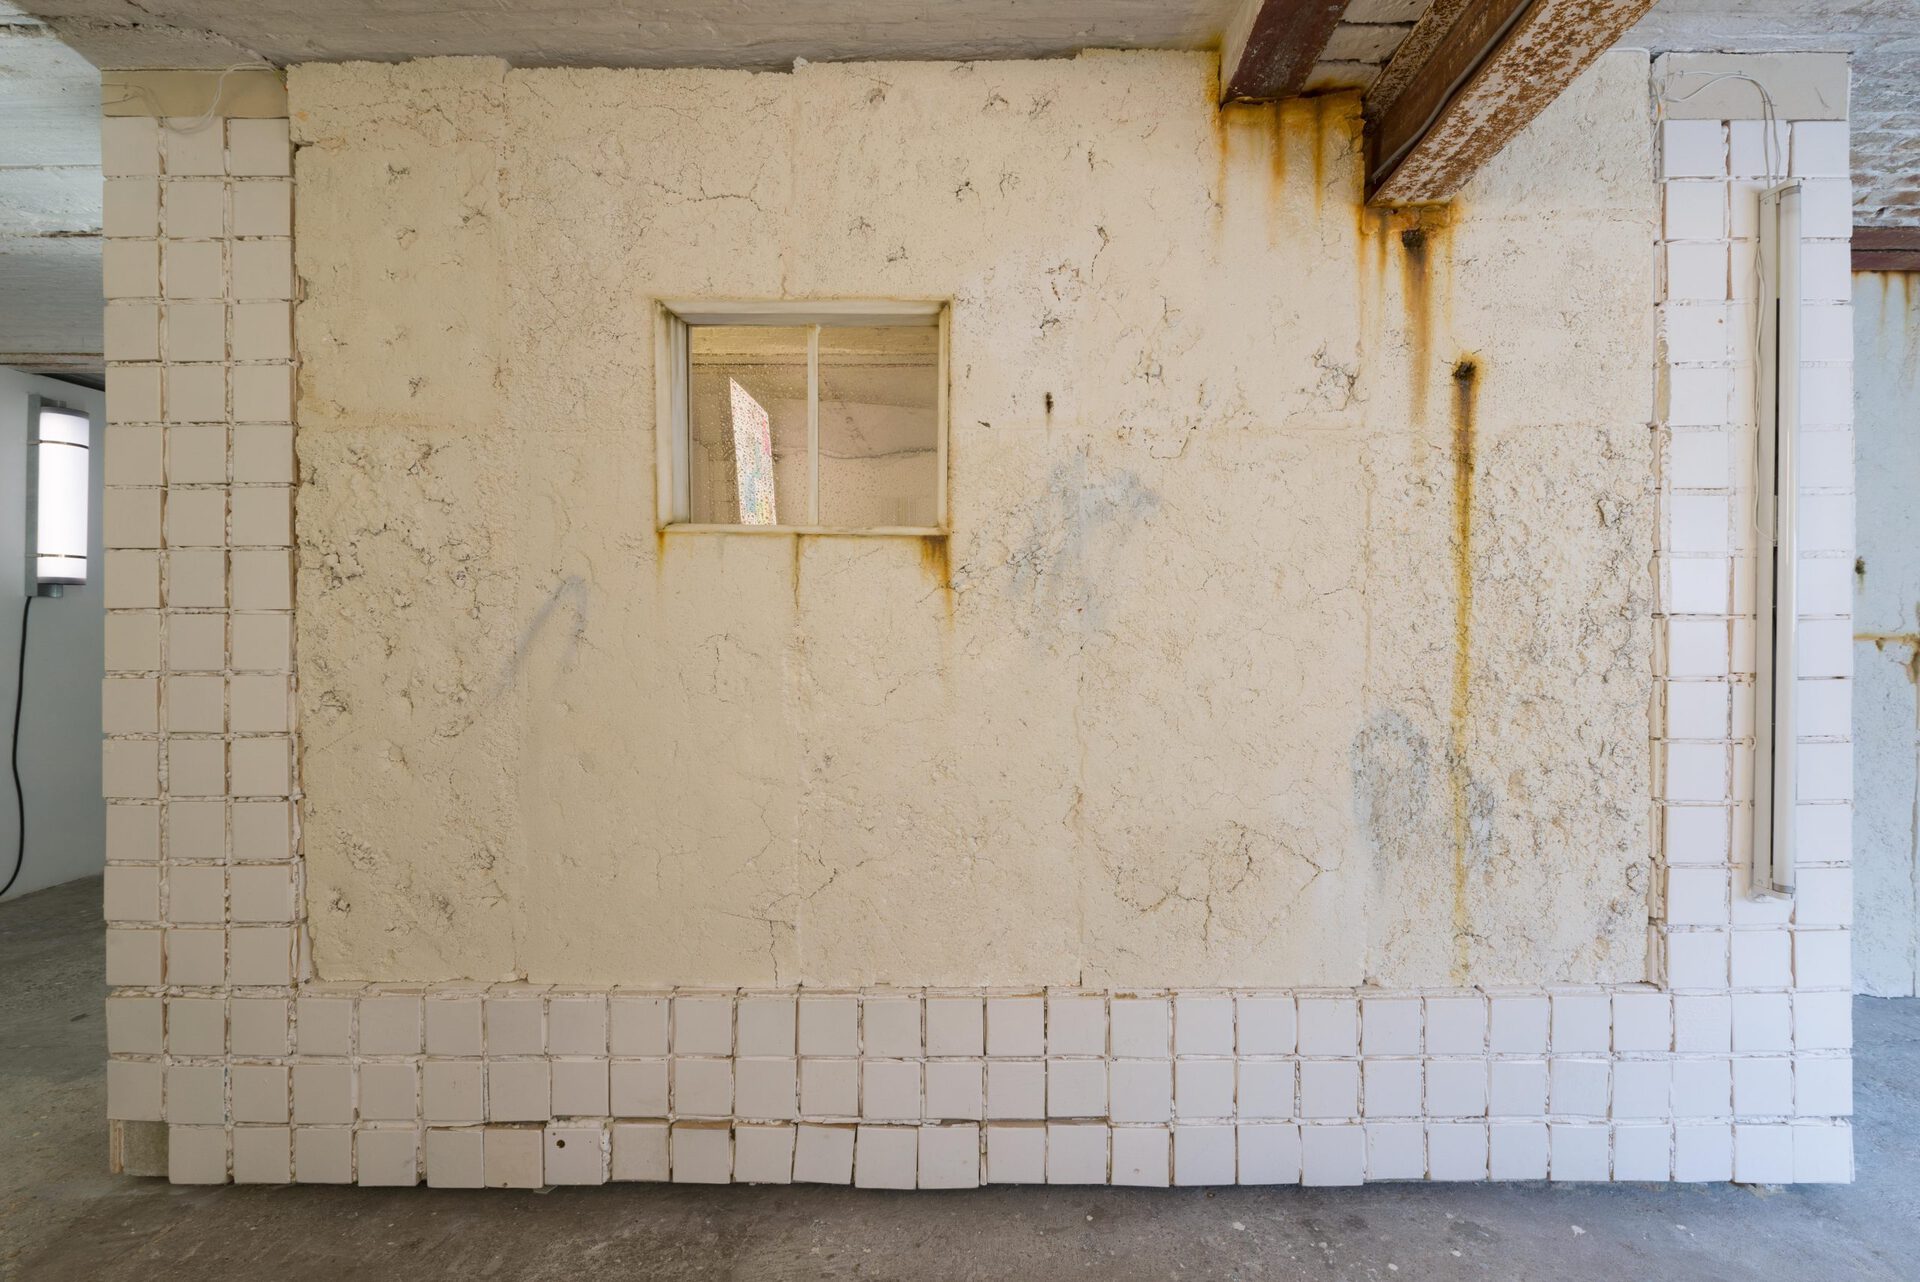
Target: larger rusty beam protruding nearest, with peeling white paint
{"x":1495,"y":68}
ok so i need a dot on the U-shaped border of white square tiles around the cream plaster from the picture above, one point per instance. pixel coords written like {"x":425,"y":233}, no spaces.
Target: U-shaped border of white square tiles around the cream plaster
{"x":1737,"y":1070}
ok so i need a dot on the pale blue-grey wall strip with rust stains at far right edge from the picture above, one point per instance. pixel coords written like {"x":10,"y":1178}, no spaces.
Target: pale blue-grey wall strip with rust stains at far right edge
{"x":1886,"y":621}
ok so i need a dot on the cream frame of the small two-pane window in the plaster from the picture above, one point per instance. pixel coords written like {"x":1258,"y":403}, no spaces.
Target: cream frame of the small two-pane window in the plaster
{"x":675,"y":383}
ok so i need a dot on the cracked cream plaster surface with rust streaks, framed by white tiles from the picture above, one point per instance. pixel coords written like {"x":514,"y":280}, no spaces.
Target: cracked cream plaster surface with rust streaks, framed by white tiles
{"x":1264,"y":652}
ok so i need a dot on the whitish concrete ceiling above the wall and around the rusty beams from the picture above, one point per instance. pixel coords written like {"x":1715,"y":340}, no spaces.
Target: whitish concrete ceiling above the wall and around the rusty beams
{"x":49,"y":97}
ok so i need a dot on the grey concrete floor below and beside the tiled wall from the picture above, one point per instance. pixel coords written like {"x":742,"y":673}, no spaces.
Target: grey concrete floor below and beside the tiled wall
{"x":62,"y":1216}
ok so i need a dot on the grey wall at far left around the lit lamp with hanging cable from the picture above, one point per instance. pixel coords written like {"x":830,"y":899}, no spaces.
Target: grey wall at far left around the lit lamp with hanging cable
{"x":60,"y":723}
